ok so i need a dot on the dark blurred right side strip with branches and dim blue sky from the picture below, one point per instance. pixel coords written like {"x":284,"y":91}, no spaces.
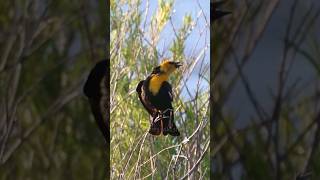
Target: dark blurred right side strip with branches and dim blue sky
{"x":266,"y":116}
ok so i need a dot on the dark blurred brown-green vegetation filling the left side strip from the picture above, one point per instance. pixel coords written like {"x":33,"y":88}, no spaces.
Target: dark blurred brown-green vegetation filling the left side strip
{"x":46,"y":127}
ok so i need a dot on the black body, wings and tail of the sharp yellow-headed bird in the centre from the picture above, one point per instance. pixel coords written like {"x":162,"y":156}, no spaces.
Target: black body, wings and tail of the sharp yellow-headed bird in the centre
{"x":158,"y":106}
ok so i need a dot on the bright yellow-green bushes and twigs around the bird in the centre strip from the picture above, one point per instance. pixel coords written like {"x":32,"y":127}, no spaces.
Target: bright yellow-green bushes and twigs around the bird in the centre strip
{"x":136,"y":31}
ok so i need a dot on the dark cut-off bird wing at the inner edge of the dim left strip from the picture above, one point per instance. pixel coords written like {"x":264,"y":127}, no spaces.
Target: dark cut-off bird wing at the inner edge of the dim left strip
{"x":96,"y":90}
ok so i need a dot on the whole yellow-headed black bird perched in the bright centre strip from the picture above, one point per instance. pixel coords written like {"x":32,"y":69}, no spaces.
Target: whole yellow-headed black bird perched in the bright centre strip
{"x":155,"y":94}
